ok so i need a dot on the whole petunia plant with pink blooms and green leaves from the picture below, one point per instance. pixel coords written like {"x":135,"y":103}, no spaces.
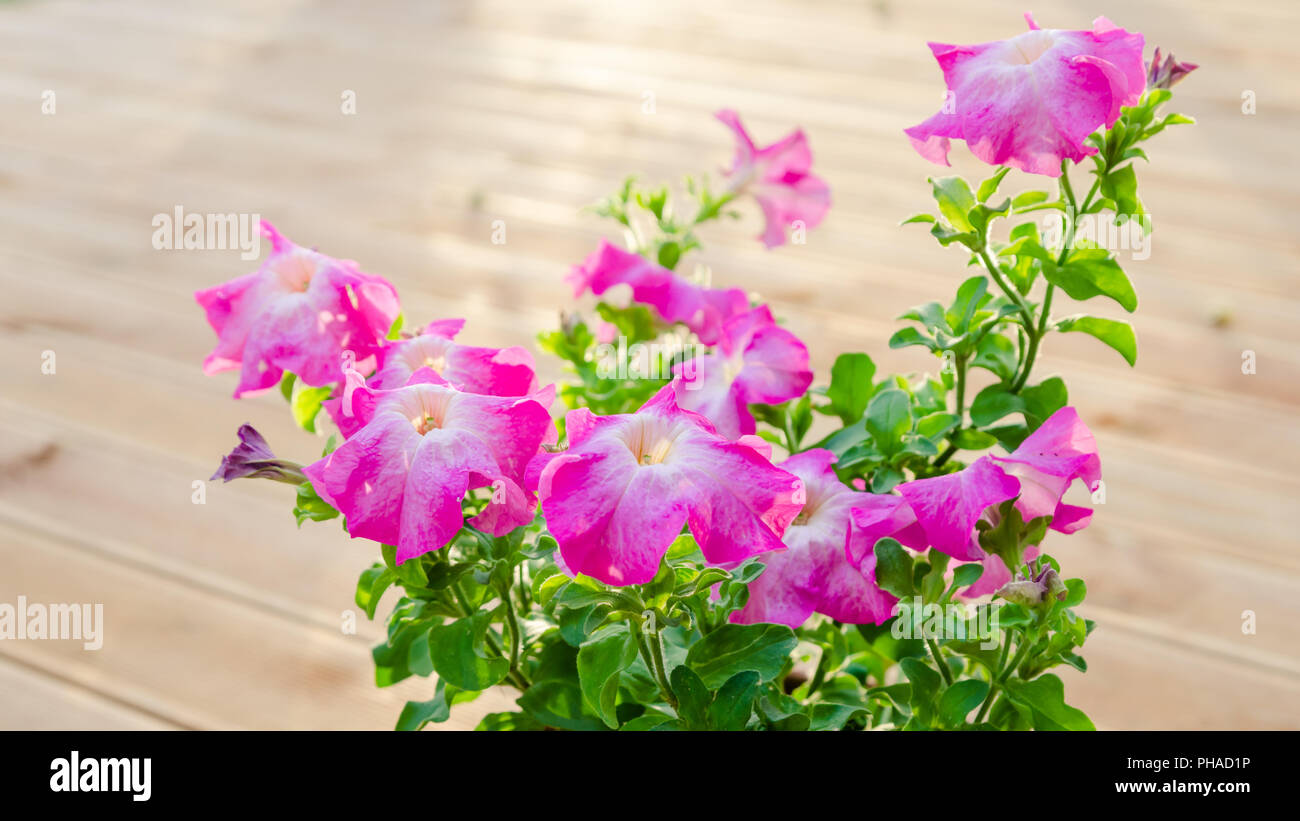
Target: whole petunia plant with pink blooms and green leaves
{"x":682,"y":550}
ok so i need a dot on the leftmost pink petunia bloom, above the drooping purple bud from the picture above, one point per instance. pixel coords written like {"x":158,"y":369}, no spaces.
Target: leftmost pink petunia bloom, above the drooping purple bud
{"x":302,"y":312}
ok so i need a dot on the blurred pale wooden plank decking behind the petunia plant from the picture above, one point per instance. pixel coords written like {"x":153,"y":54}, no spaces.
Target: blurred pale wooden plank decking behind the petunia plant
{"x":224,"y":615}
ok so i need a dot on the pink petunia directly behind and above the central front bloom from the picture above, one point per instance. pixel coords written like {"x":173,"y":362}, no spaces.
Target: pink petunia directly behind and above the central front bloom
{"x":757,"y":362}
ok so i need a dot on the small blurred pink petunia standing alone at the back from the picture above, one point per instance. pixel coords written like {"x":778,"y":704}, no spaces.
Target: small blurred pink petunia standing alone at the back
{"x":781,"y":179}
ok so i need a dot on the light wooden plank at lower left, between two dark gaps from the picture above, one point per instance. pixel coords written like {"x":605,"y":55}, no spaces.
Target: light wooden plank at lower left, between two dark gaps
{"x":198,"y":659}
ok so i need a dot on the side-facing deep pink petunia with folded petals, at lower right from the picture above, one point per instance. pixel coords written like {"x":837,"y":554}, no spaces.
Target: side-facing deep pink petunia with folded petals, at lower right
{"x":942,"y":512}
